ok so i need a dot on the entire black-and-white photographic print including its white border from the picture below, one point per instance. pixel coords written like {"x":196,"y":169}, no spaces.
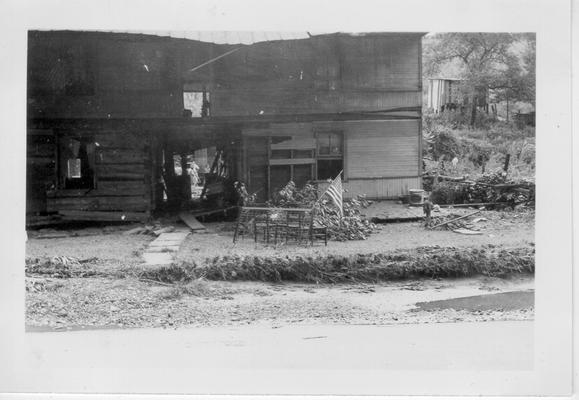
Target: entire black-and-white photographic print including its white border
{"x":200,"y":207}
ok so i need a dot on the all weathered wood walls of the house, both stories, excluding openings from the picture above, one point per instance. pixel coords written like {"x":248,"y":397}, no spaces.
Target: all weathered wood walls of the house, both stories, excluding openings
{"x":86,"y":75}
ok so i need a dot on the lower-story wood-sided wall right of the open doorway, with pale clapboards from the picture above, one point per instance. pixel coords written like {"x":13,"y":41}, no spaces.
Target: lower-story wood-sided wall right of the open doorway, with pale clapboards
{"x":381,"y":158}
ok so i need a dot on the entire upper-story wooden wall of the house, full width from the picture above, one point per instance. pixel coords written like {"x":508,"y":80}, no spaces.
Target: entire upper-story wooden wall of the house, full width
{"x":88,"y":75}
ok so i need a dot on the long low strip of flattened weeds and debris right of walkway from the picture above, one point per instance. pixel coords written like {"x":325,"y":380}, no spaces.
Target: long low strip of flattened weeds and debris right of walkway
{"x":424,"y":262}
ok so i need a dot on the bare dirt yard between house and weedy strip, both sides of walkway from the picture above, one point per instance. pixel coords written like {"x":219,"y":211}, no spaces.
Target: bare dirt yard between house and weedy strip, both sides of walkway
{"x":500,"y":228}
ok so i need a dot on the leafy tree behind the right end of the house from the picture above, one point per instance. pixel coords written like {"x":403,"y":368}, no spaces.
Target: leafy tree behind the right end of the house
{"x":485,"y":61}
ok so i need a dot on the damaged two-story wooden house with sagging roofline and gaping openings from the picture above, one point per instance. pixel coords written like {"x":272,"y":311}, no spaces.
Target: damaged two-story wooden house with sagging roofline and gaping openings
{"x":115,"y":118}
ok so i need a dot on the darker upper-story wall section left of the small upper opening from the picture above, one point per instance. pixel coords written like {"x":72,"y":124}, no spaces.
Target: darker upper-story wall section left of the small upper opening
{"x":106,"y":75}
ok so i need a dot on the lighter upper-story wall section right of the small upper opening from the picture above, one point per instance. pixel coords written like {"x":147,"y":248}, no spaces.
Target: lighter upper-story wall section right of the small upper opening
{"x":328,"y":74}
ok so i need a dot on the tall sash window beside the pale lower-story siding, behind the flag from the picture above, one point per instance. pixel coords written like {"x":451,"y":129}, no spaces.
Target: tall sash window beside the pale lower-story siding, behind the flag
{"x":330,"y":158}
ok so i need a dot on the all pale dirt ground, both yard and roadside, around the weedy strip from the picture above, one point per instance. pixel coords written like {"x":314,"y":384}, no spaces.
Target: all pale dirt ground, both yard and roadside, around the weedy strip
{"x":107,"y":302}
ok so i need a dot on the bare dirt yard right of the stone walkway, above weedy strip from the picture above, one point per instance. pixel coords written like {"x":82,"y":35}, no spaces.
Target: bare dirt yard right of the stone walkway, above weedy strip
{"x":501,"y":228}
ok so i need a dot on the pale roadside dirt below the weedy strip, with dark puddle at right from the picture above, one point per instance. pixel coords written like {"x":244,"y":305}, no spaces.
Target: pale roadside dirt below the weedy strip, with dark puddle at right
{"x":96,"y":302}
